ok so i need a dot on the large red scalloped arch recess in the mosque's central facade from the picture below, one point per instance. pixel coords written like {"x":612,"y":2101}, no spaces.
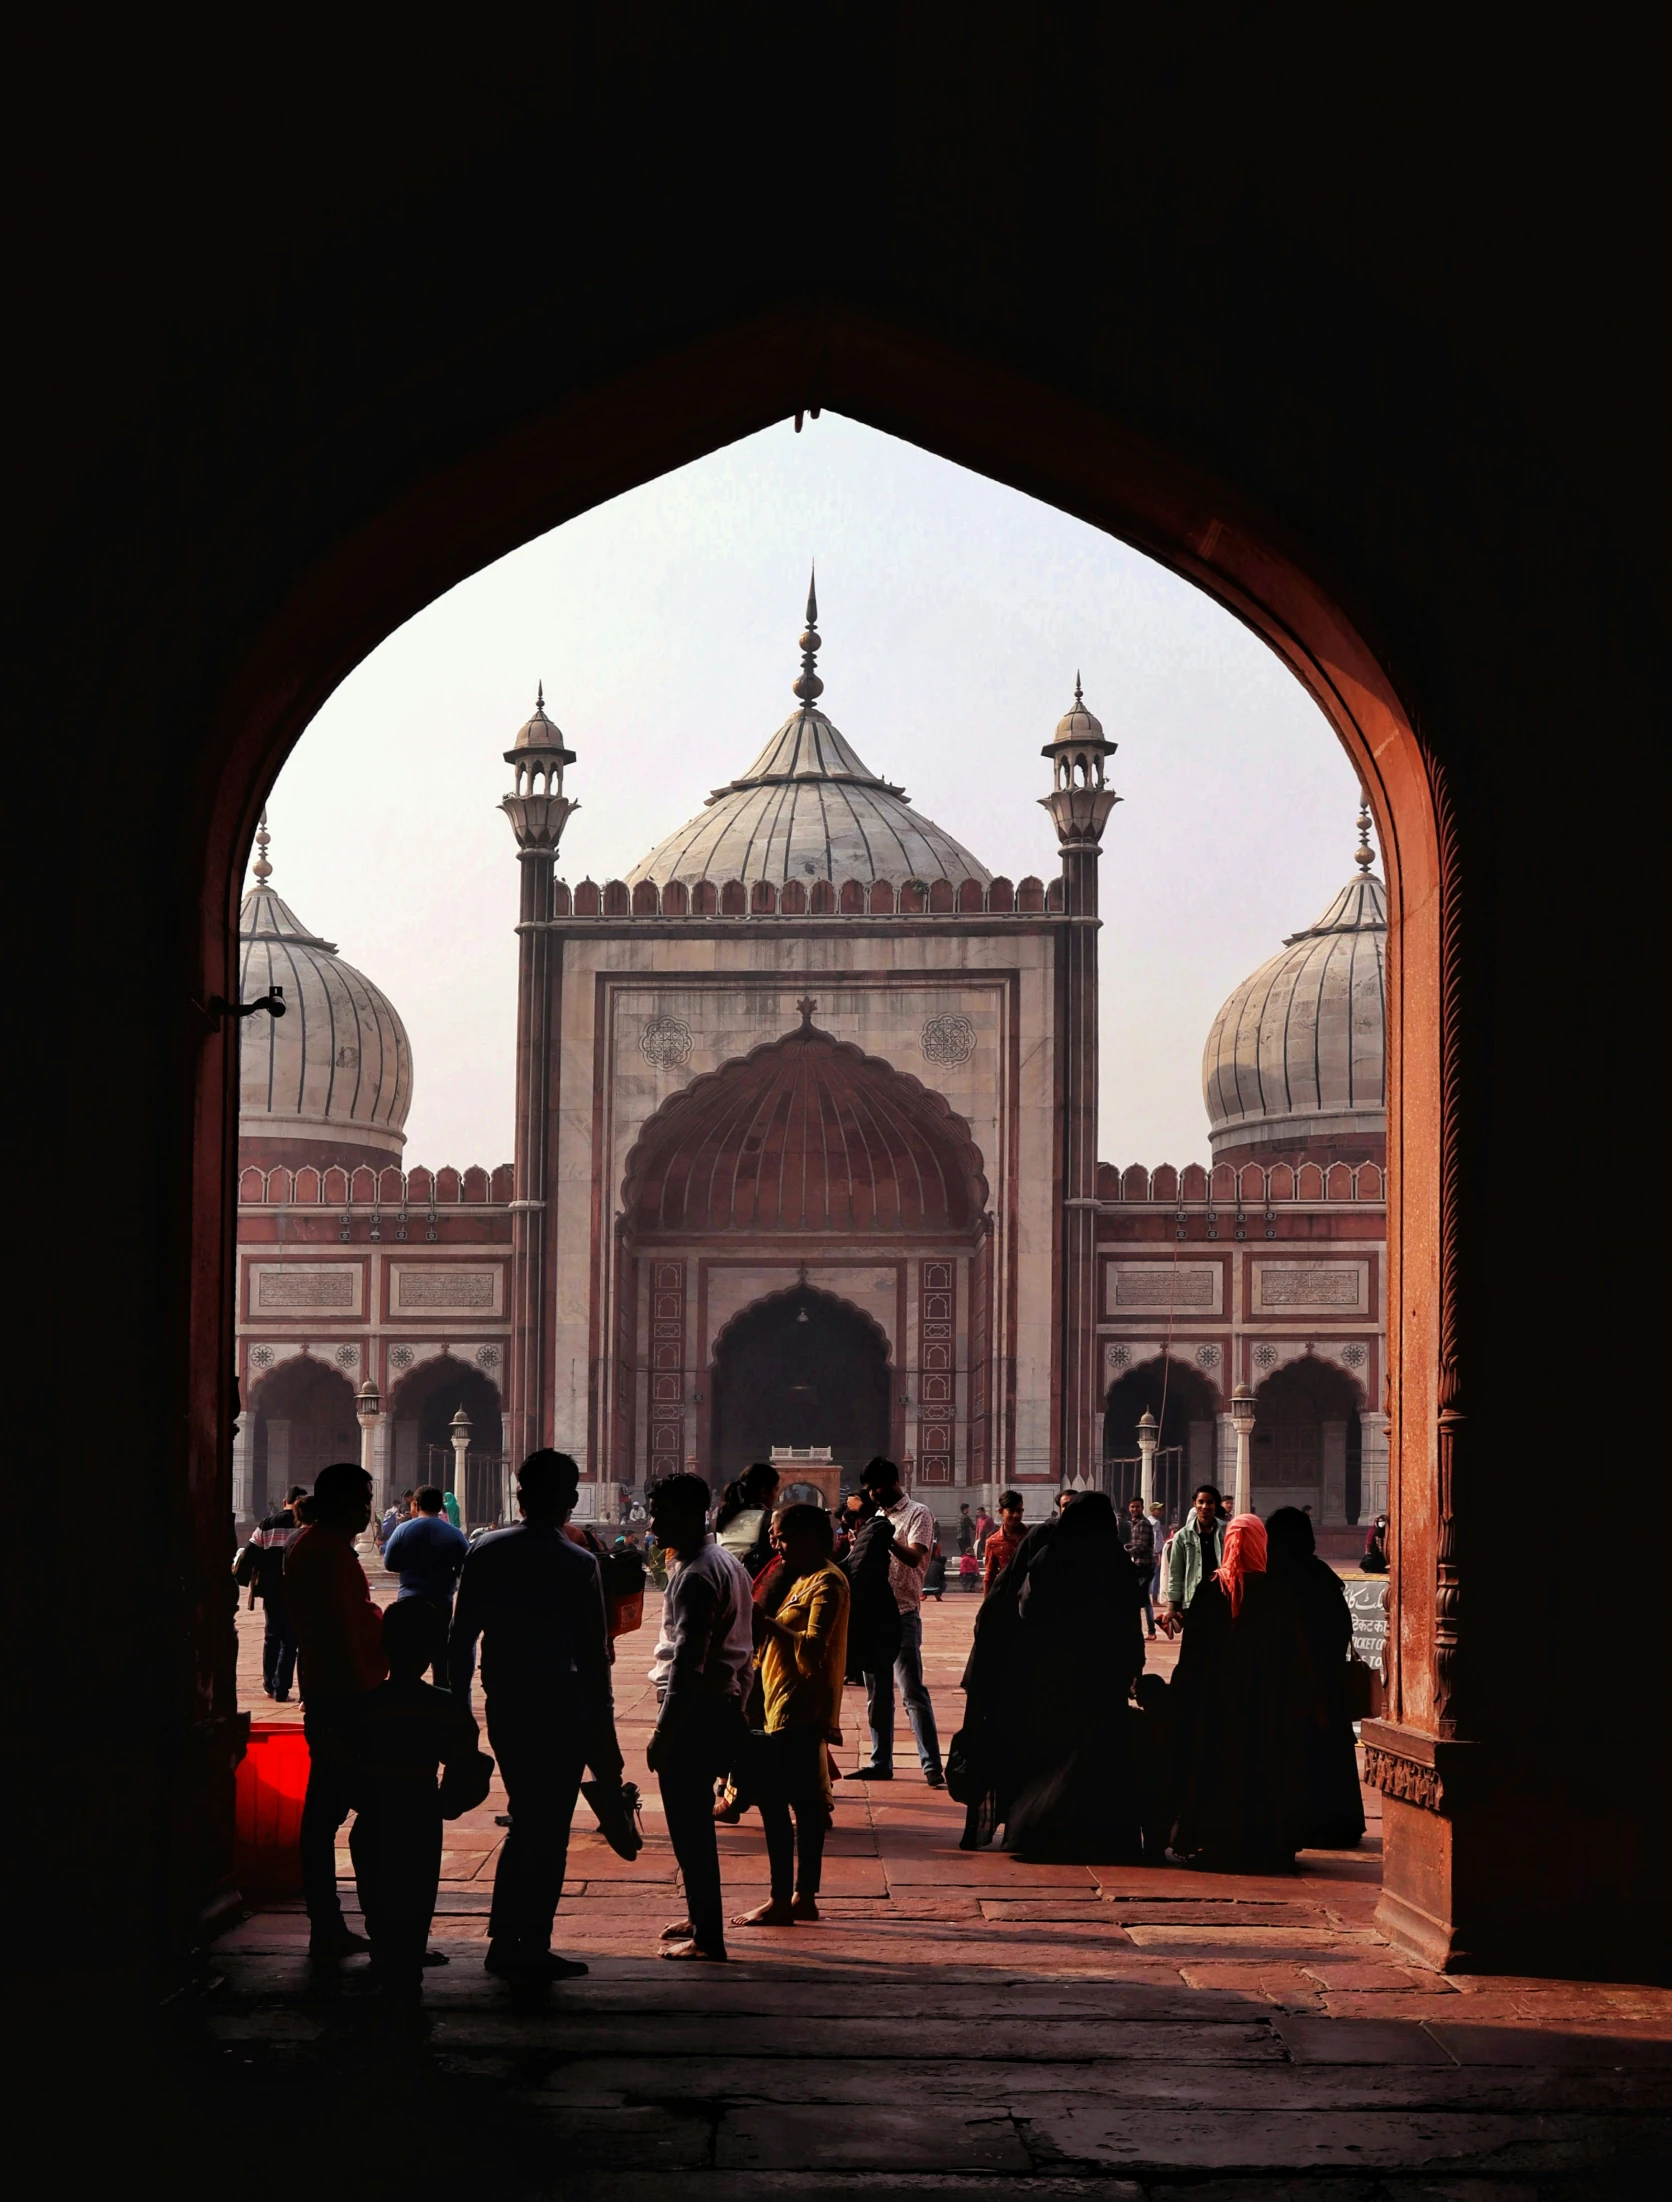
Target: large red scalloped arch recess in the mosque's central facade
{"x":803,"y":1258}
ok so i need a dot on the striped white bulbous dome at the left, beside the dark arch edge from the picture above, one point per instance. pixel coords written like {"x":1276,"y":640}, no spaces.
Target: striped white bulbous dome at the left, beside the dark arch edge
{"x":332,"y":1076}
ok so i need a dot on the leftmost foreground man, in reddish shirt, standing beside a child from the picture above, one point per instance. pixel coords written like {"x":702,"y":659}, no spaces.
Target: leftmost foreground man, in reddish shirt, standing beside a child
{"x":340,"y":1642}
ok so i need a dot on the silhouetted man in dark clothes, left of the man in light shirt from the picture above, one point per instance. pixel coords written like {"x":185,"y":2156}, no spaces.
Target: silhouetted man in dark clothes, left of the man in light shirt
{"x":536,"y":1600}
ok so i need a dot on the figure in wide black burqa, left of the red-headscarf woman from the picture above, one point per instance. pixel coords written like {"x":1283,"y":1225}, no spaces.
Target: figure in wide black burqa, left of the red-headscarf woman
{"x":1047,"y":1725}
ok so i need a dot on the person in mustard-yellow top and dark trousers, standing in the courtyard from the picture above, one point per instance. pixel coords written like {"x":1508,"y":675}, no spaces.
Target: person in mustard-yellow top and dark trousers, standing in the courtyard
{"x":803,"y":1659}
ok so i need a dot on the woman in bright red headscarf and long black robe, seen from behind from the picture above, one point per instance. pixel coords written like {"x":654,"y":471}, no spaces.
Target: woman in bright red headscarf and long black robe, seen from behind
{"x":1246,"y":1694}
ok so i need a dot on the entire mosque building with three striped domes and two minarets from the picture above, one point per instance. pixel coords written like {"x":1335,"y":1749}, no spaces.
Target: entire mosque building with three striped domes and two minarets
{"x":805,"y":1157}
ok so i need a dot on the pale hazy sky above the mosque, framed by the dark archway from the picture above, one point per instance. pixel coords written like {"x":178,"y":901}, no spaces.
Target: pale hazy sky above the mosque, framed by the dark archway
{"x":955,"y":615}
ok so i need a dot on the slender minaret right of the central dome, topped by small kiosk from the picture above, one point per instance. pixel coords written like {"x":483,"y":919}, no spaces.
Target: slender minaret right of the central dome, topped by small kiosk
{"x":1081,"y":807}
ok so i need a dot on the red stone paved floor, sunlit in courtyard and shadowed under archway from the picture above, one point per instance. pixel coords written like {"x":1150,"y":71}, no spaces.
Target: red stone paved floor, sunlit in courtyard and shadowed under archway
{"x":957,"y":2025}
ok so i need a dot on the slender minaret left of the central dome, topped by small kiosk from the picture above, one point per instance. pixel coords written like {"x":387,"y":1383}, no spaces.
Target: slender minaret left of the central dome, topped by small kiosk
{"x":539,"y":811}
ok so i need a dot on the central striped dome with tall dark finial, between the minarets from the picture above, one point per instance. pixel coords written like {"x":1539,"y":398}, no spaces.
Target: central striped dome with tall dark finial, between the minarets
{"x":810,"y":807}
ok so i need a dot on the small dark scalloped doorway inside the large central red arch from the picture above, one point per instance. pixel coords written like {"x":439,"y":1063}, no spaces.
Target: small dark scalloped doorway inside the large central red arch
{"x":799,"y":1369}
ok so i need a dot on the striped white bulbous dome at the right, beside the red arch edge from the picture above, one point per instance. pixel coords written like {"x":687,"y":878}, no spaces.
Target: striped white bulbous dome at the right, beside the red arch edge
{"x":1299,"y":1056}
